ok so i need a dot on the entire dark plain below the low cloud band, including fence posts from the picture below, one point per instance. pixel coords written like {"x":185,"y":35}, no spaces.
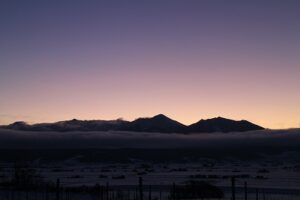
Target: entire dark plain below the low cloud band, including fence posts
{"x":117,"y":173}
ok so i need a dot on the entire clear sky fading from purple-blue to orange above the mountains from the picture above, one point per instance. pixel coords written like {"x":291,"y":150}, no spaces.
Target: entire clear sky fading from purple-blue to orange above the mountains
{"x":187,"y":59}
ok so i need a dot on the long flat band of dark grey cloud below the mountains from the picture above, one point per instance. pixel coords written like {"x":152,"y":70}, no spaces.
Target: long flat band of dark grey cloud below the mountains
{"x":260,"y":139}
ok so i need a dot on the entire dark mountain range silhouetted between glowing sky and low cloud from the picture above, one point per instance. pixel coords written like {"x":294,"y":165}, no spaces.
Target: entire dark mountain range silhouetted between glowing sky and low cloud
{"x":159,"y":123}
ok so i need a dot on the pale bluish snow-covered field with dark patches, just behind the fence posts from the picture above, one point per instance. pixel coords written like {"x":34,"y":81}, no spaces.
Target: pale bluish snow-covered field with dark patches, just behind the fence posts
{"x":279,"y":181}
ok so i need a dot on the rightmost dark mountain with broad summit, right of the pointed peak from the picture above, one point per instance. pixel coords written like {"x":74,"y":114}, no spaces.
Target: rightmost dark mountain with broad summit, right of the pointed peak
{"x":220,"y":124}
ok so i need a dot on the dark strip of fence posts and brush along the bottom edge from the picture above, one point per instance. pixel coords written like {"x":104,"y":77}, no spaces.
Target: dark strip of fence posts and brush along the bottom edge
{"x":143,"y":192}
